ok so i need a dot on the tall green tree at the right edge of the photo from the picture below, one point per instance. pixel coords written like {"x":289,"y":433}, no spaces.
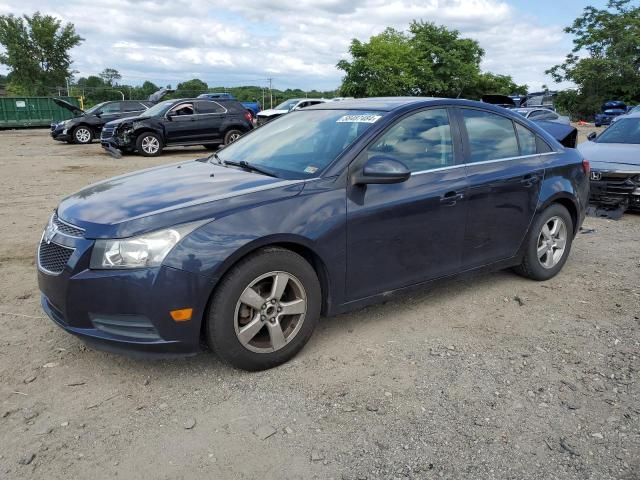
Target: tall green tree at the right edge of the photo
{"x":605,"y":60}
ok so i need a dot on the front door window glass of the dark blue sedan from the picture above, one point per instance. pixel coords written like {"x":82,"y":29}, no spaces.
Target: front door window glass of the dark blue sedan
{"x":421,"y":141}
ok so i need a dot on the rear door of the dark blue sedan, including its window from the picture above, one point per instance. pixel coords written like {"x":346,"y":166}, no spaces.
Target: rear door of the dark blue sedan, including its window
{"x":504,"y":172}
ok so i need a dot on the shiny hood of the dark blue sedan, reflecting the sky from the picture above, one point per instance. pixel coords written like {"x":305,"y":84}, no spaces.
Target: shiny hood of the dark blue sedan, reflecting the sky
{"x":168,"y":195}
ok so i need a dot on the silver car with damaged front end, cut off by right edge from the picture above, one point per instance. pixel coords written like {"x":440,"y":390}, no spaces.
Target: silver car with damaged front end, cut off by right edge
{"x":615,"y":164}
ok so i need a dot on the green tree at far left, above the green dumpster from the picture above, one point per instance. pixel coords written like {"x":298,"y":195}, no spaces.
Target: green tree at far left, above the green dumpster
{"x":37,"y":51}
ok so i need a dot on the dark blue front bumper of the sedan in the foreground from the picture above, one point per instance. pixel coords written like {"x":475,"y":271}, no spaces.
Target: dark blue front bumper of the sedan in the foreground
{"x":125,"y":311}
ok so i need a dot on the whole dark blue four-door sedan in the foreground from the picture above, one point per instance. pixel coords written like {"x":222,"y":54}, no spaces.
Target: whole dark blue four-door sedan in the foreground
{"x":322,"y":211}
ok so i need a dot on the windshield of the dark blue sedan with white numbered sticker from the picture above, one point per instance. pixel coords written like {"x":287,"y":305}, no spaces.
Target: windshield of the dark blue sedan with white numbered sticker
{"x":302,"y":144}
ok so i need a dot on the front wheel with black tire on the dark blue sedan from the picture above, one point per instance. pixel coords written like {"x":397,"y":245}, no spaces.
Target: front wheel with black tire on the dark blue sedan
{"x":264,"y":310}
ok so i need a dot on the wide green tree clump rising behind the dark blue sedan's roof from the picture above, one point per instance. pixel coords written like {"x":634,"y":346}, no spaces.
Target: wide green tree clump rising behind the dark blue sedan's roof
{"x":428,"y":60}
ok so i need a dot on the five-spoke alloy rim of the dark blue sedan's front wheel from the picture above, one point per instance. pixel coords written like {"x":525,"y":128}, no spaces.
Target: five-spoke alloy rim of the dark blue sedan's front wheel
{"x":270,"y":312}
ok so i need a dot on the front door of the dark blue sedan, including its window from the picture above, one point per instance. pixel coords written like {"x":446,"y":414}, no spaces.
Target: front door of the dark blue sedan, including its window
{"x":406,"y":233}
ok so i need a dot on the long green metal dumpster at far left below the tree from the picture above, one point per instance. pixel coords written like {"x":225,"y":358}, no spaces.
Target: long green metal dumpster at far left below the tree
{"x":32,"y":111}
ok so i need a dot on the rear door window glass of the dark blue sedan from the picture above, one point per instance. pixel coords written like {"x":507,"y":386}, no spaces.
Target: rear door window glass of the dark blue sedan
{"x":491,"y":136}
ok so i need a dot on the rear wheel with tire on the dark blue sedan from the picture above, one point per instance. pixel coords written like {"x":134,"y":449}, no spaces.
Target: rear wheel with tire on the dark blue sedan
{"x":548,"y":244}
